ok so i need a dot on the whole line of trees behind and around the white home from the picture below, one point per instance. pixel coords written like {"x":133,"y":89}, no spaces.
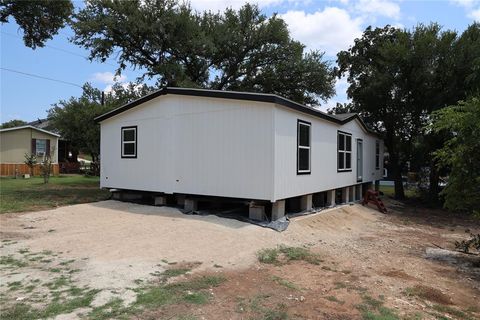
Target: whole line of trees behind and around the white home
{"x":400,"y":81}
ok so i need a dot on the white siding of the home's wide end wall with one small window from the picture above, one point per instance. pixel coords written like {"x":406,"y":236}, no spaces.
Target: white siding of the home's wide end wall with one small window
{"x":193,"y":145}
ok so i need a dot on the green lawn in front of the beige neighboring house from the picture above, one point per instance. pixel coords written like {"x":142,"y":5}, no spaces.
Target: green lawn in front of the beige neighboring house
{"x":18,"y":195}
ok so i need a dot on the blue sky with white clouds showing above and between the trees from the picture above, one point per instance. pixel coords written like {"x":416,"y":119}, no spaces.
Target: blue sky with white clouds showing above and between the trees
{"x":329,"y":26}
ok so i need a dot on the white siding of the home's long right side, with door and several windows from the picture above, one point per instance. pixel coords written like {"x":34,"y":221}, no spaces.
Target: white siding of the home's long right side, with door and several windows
{"x":324,"y":175}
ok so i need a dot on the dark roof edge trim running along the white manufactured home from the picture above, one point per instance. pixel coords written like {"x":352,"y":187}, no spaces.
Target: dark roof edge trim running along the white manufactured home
{"x":260,"y":97}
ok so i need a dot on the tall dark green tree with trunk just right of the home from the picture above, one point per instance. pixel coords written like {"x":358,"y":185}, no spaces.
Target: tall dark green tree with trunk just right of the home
{"x":398,"y":77}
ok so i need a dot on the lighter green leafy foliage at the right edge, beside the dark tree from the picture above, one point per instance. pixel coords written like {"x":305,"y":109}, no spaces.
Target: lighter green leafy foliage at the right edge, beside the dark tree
{"x":460,"y":153}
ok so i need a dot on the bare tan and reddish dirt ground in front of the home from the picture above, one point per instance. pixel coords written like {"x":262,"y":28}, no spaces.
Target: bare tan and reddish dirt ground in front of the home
{"x":369,"y":264}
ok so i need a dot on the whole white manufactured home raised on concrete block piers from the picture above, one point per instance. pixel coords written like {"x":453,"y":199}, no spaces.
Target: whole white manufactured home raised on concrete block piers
{"x":262,"y":148}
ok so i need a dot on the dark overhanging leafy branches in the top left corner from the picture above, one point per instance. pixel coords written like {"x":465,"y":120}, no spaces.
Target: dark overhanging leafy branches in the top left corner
{"x":39,"y":19}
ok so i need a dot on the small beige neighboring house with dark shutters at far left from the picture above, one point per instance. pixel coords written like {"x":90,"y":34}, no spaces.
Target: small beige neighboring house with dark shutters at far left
{"x":18,"y":141}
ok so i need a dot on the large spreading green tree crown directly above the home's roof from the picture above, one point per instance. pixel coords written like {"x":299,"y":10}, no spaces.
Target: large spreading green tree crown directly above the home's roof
{"x":233,"y":50}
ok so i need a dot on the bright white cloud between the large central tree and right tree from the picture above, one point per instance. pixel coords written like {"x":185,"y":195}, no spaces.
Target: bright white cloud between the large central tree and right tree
{"x":330,"y":30}
